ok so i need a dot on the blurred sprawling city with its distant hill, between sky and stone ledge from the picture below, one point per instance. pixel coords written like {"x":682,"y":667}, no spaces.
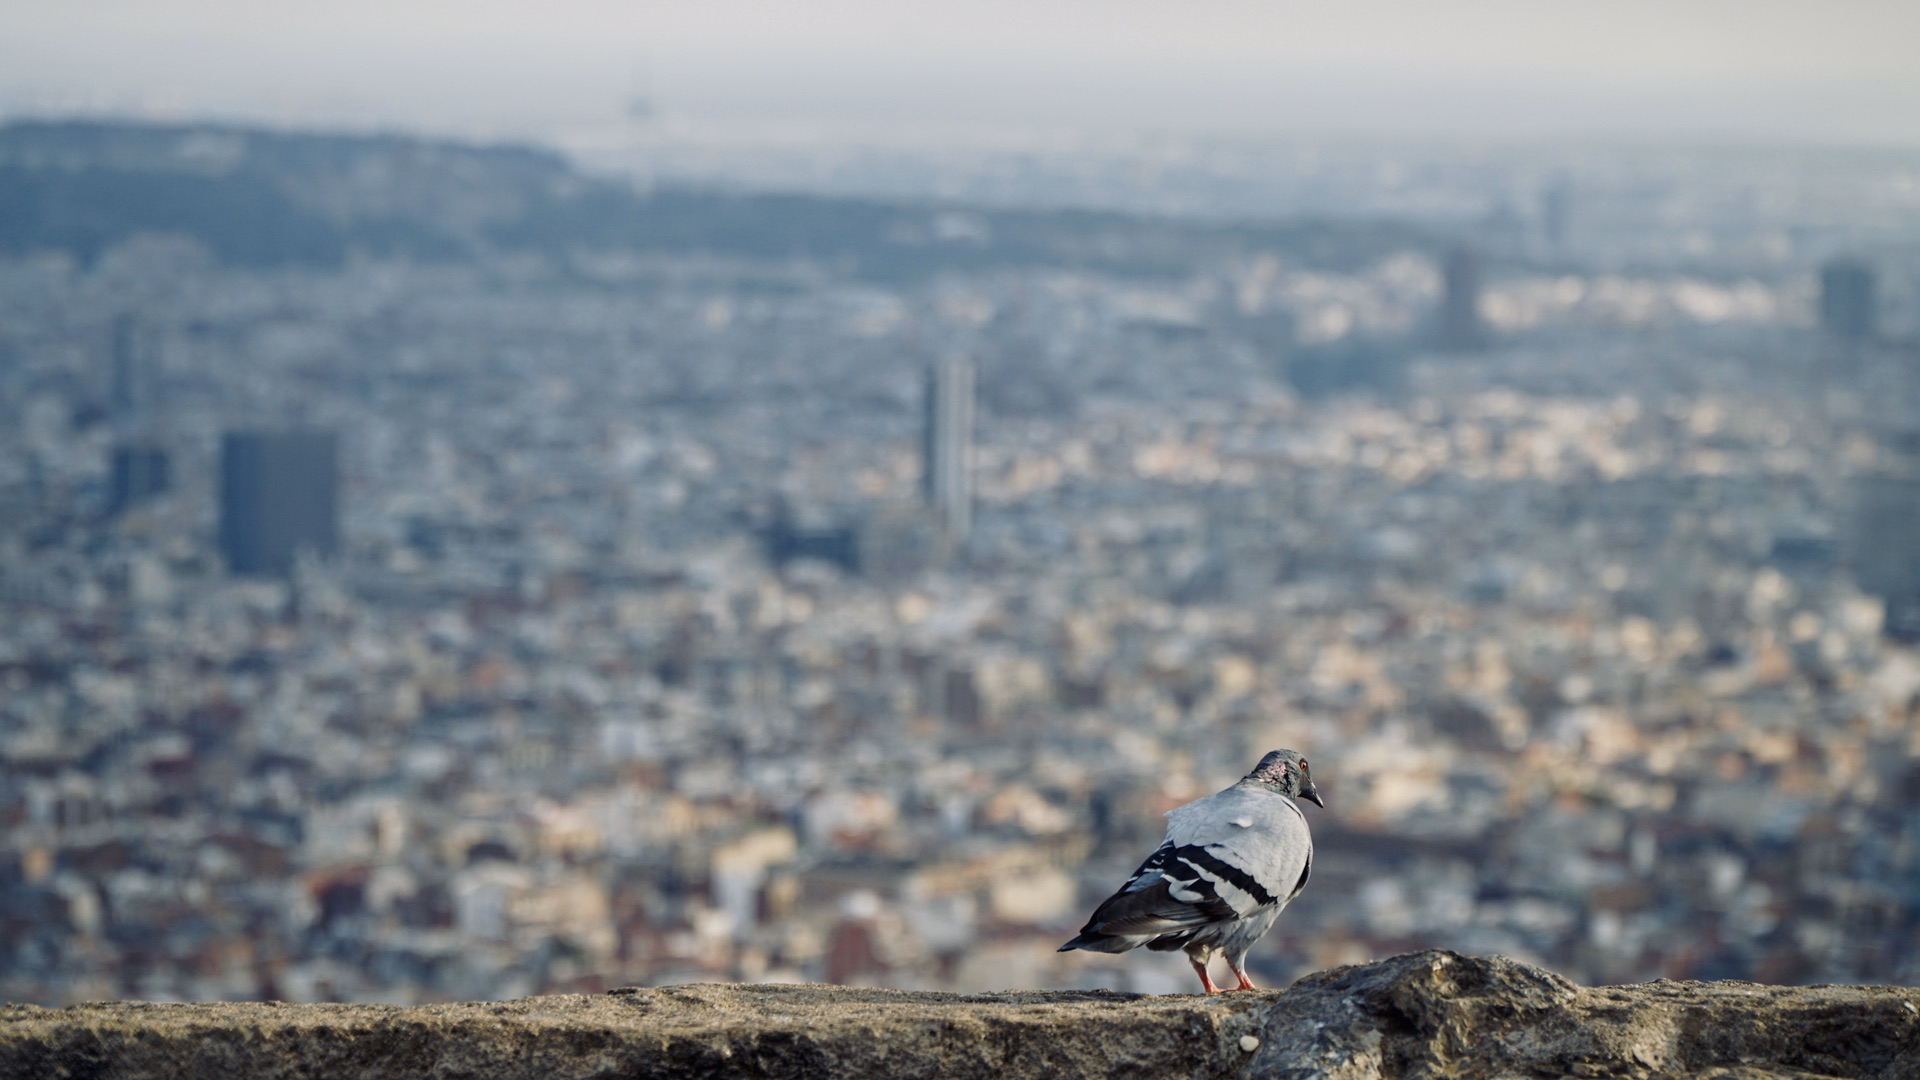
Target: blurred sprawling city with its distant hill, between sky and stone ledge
{"x":441,"y":574}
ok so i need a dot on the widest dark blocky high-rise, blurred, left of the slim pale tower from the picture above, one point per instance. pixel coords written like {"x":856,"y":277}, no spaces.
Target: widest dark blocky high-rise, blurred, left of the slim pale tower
{"x":279,"y":497}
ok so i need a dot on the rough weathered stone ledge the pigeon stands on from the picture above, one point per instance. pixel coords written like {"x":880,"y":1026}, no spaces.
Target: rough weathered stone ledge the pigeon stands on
{"x":1412,"y":1016}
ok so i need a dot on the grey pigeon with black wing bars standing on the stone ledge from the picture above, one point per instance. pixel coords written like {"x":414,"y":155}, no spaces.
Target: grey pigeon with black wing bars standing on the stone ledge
{"x":1232,"y":862}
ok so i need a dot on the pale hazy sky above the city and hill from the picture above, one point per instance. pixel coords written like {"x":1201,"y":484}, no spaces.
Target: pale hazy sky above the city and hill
{"x":1833,"y":70}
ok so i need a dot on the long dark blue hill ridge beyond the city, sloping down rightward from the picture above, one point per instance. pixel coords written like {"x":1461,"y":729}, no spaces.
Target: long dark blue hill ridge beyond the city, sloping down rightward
{"x":285,"y":199}
